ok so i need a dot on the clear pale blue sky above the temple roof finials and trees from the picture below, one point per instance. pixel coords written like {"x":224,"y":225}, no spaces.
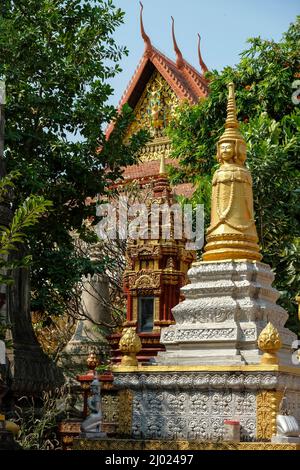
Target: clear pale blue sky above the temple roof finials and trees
{"x":224,"y":26}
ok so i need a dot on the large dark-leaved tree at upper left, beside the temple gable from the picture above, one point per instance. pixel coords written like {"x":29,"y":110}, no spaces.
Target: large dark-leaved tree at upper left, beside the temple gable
{"x":57,"y":57}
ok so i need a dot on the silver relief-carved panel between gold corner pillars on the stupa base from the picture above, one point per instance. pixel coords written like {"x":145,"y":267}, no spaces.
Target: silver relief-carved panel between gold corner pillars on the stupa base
{"x":176,"y":415}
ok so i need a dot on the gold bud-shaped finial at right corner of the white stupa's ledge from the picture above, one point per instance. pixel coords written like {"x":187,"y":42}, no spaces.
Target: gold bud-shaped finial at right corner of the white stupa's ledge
{"x":269,"y":342}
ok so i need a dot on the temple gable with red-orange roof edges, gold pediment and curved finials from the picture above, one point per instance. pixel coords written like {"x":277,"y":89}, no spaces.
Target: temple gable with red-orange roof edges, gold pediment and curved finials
{"x":157,"y":86}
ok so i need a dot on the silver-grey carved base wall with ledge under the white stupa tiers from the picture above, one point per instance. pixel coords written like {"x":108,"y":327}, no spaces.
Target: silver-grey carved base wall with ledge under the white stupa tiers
{"x":194,"y":405}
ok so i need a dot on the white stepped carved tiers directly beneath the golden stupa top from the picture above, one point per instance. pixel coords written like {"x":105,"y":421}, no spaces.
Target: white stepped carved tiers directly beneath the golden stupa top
{"x":226,"y":306}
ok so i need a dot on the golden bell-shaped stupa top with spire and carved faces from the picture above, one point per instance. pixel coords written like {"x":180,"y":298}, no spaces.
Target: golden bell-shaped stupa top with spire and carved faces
{"x":232,"y":232}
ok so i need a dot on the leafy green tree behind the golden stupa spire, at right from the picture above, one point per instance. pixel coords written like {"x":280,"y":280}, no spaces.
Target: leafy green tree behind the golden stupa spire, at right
{"x":271,"y":125}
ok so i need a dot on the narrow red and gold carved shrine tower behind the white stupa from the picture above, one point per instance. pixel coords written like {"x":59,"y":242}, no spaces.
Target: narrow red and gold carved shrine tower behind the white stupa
{"x":156,"y":270}
